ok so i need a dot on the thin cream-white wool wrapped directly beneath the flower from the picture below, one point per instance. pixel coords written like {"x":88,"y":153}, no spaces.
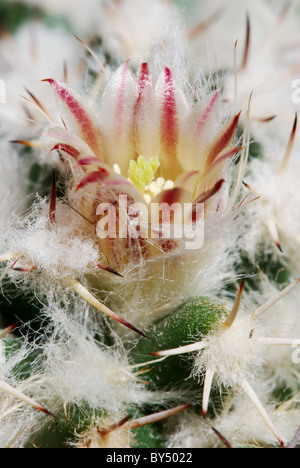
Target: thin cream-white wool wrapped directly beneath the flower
{"x":152,"y":289}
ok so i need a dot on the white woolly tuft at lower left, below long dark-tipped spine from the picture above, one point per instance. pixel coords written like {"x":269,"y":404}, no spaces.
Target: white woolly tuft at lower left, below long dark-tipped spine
{"x":80,"y":369}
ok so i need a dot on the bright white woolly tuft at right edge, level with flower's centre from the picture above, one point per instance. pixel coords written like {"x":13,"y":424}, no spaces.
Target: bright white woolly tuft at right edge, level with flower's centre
{"x":278,"y":206}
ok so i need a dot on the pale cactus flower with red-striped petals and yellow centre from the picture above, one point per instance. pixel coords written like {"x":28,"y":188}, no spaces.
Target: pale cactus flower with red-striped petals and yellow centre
{"x":178,"y":141}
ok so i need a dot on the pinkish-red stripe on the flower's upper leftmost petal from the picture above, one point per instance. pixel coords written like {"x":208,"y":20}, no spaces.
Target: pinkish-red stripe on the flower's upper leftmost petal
{"x":89,"y":132}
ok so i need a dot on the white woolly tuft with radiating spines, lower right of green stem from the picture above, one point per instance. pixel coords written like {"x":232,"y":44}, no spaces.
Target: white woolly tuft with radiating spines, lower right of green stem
{"x":237,"y":353}
